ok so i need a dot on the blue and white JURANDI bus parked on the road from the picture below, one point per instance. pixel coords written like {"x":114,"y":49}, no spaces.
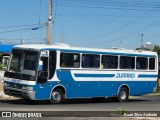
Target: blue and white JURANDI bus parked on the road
{"x":60,"y":71}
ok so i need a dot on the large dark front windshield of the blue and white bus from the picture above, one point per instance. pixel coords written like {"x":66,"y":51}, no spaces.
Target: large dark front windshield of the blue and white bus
{"x":24,"y":62}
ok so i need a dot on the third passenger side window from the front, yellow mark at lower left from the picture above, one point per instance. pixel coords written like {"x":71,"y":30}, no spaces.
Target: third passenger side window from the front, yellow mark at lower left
{"x":109,"y":62}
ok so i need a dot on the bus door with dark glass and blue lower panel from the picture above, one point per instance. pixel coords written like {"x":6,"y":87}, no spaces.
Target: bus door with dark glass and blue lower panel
{"x":42,"y":87}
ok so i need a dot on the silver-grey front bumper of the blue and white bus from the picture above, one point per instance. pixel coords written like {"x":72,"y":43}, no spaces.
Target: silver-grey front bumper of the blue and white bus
{"x":19,"y":93}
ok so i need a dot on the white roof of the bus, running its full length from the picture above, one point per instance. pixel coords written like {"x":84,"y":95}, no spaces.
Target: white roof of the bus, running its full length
{"x":66,"y":47}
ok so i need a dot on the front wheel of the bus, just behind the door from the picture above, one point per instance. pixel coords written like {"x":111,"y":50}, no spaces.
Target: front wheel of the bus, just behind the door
{"x":57,"y":96}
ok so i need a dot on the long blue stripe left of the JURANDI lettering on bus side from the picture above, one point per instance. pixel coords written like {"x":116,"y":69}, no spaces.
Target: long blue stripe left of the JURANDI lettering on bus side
{"x":94,"y":75}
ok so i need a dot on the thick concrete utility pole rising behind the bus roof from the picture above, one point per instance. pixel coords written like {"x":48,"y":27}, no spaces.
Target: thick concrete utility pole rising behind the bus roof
{"x":49,"y":24}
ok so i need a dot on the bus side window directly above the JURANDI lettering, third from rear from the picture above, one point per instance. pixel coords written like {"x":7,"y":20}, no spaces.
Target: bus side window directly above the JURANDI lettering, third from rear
{"x":127,"y":62}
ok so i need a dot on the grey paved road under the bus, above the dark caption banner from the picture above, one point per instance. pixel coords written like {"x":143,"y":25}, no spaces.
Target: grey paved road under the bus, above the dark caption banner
{"x":143,"y":103}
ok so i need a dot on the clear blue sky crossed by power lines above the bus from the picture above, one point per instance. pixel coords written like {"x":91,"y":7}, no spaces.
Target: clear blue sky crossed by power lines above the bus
{"x":85,"y":23}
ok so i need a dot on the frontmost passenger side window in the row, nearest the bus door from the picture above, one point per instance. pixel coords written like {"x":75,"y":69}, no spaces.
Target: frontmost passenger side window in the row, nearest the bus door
{"x":70,"y":60}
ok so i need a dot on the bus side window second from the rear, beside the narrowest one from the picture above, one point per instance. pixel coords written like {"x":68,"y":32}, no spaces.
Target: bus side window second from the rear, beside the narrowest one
{"x":142,"y":63}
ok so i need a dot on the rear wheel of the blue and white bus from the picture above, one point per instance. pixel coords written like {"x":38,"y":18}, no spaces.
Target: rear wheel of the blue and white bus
{"x":122,"y":95}
